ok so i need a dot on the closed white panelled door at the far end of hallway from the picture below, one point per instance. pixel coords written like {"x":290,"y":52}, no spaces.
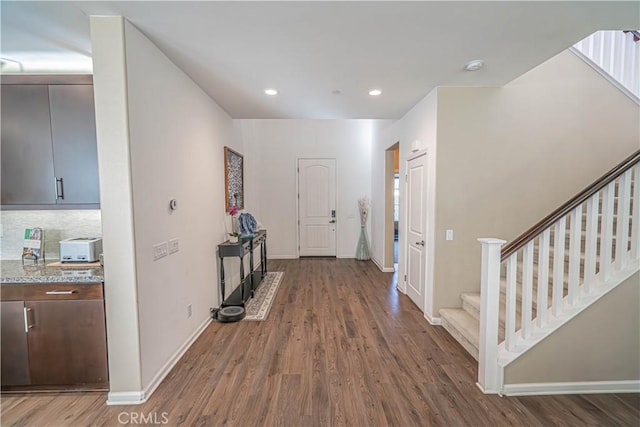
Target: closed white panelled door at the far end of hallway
{"x":317,"y":206}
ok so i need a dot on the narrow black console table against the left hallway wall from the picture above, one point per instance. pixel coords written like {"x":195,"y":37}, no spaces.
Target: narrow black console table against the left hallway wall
{"x":248,"y":285}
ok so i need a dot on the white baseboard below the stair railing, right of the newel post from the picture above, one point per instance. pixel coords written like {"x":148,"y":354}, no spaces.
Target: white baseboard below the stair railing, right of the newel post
{"x":586,"y":387}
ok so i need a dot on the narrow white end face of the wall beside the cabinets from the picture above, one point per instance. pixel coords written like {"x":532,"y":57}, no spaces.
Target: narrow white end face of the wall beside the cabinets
{"x":118,"y":244}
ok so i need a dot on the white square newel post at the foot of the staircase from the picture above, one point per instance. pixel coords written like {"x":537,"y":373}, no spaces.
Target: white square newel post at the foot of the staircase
{"x":488,"y":375}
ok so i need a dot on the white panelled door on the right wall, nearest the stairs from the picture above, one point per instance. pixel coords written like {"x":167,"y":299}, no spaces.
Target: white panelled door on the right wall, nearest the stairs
{"x":416,"y":229}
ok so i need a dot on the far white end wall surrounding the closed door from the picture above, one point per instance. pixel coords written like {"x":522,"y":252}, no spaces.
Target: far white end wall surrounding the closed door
{"x":271,"y":149}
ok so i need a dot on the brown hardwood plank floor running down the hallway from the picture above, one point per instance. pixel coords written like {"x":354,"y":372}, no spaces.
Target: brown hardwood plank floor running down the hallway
{"x":341,"y":347}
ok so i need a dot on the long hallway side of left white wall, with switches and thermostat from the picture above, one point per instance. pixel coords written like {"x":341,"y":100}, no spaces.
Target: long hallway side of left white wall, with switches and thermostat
{"x":177,"y":137}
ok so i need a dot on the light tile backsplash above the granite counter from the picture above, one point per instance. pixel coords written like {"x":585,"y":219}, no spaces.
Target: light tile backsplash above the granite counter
{"x":57,"y":225}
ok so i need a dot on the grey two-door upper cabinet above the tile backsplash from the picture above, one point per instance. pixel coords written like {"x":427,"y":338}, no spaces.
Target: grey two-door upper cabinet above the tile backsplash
{"x":49,"y":150}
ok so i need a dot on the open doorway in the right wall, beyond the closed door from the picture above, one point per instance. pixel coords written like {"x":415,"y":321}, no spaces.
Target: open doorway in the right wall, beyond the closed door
{"x":392,"y":207}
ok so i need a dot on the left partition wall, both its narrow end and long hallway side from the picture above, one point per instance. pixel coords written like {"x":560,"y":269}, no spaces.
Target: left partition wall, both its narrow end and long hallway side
{"x":176,"y":135}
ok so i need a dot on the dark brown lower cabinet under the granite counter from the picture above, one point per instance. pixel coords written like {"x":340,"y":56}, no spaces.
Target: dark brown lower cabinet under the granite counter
{"x":54,"y":343}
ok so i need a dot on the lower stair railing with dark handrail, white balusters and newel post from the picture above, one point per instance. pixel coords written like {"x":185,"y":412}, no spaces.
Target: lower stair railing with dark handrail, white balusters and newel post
{"x":587,"y":243}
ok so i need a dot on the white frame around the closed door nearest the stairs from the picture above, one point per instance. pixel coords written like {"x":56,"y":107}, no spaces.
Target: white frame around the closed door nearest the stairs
{"x":430,"y":210}
